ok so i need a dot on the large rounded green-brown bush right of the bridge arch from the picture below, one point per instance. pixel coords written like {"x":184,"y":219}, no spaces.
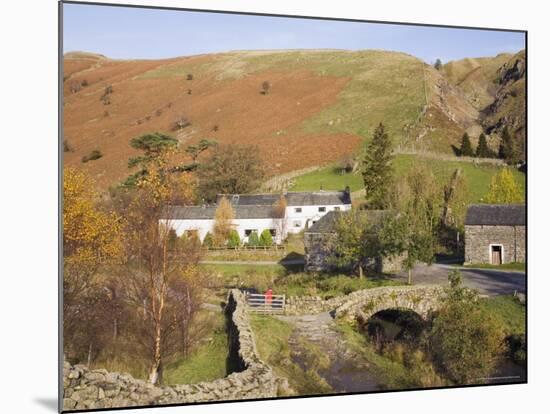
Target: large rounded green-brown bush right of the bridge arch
{"x":465,"y":338}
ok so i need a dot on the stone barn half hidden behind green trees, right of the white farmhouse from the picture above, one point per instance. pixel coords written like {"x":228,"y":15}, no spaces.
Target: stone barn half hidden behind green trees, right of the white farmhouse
{"x":318,"y":237}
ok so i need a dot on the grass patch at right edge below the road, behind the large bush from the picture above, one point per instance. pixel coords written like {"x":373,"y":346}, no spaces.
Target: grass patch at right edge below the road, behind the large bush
{"x":509,"y":310}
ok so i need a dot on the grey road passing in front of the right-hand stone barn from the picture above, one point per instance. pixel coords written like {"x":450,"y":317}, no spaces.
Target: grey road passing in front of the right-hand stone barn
{"x":486,"y":281}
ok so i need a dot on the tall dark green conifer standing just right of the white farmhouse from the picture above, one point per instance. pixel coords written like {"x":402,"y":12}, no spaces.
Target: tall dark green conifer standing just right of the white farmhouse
{"x":378,"y":170}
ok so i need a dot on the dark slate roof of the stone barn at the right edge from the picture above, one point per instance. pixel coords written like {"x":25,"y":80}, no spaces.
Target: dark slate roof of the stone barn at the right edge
{"x":496,"y":215}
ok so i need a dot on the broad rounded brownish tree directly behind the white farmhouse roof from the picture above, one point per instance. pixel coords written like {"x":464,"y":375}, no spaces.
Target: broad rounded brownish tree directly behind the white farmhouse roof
{"x":230,"y":169}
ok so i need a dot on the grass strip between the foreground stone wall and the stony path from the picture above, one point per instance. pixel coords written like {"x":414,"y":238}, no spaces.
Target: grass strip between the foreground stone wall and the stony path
{"x":272,"y":341}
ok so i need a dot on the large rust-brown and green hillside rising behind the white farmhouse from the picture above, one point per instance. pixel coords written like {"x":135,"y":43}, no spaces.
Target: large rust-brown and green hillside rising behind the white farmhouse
{"x":321,"y":106}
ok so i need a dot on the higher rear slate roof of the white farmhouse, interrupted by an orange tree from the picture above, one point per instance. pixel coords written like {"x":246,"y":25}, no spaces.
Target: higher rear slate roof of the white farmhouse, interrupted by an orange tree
{"x":328,"y":198}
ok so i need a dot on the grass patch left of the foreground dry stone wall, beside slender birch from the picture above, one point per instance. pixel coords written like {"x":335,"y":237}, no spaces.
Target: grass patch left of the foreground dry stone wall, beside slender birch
{"x":208,"y":361}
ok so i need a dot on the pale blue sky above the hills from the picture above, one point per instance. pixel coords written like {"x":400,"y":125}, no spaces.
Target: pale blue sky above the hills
{"x":138,"y":33}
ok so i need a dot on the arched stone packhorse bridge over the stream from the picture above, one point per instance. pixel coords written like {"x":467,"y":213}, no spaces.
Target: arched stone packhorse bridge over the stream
{"x":422,"y":299}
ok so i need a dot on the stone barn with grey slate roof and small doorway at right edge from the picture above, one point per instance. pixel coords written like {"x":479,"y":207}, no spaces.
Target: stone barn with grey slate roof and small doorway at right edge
{"x":495,"y":234}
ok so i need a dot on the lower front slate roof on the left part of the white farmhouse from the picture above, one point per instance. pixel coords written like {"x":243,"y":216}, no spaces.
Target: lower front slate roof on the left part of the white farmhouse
{"x":208,"y":212}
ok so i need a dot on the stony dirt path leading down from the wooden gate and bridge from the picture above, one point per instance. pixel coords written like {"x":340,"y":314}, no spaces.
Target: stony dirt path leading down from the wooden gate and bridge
{"x":346,"y":372}
